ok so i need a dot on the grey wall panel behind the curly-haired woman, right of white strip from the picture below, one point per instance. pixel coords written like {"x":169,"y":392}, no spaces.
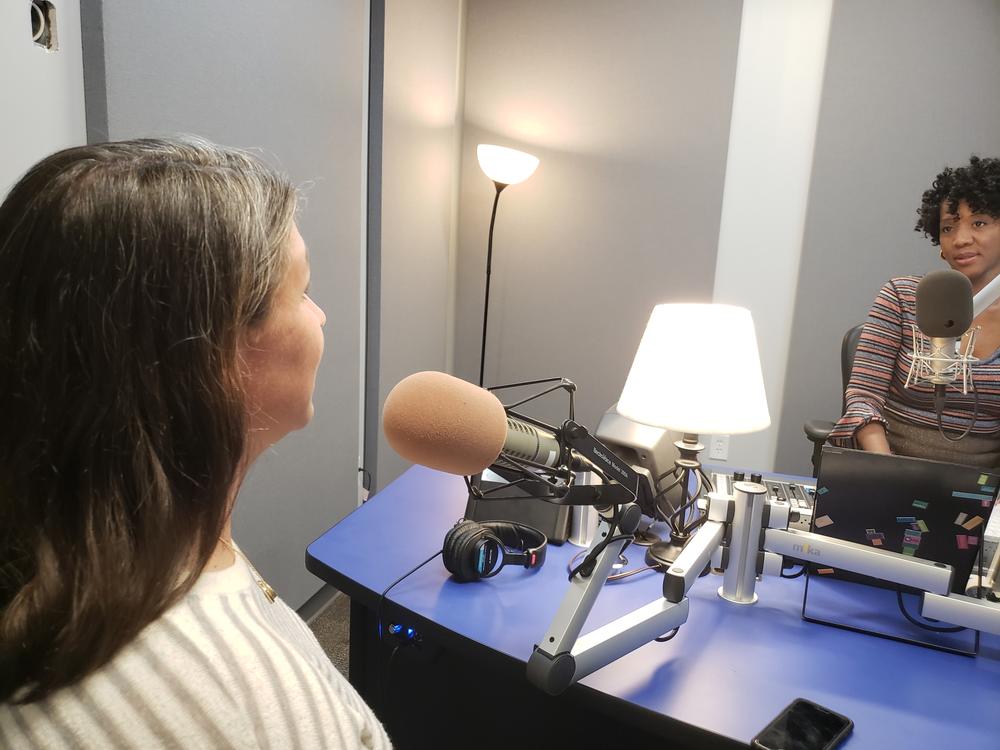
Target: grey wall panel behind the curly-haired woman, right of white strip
{"x":911,"y":86}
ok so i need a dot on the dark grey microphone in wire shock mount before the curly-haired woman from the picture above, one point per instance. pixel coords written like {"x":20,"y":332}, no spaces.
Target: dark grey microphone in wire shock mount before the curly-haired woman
{"x":944,"y":314}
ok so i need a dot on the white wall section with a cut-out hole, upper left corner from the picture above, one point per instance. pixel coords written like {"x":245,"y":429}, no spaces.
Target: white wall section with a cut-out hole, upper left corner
{"x":41,"y":91}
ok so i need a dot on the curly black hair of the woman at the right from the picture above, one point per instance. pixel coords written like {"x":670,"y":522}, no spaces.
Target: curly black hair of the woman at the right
{"x":977,"y":184}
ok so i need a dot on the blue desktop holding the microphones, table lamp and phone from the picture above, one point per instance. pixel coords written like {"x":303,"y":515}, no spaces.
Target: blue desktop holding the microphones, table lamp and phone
{"x":729,"y":670}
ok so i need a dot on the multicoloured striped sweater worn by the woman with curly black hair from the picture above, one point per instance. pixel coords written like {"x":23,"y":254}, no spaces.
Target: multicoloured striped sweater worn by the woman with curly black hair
{"x":882,"y":362}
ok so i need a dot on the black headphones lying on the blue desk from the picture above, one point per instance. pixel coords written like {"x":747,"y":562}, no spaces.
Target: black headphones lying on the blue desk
{"x":479,"y":550}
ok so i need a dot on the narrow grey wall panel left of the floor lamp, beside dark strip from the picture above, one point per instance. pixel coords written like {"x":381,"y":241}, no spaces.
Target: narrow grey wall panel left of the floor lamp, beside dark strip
{"x":420,"y":147}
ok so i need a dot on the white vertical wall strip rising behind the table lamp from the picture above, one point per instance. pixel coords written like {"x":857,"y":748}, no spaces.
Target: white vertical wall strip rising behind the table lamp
{"x":779,"y":78}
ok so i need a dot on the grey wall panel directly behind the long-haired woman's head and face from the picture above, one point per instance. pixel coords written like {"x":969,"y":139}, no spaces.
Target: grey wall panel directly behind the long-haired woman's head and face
{"x":291,"y":84}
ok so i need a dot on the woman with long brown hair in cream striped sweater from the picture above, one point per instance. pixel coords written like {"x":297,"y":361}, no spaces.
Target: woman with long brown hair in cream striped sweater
{"x":156,"y":336}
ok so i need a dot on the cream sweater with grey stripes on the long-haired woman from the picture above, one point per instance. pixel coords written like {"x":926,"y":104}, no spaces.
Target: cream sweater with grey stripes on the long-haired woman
{"x":223,"y":668}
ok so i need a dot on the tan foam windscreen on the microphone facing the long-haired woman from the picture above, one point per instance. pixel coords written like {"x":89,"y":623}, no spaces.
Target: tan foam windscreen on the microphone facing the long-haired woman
{"x":448,"y":424}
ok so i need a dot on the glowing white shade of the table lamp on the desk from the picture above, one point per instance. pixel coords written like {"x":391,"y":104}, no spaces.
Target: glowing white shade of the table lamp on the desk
{"x":697,"y":370}
